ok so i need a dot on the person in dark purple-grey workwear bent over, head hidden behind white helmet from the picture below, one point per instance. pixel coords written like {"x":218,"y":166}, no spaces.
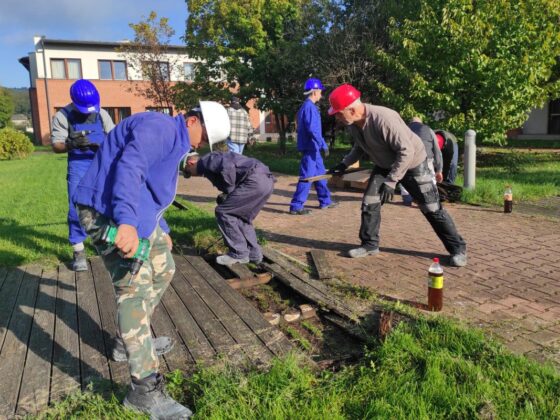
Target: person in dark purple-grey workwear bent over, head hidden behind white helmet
{"x":245,"y":184}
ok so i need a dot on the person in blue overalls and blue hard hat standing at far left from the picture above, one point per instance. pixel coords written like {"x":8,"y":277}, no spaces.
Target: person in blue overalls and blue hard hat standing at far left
{"x":78,"y":129}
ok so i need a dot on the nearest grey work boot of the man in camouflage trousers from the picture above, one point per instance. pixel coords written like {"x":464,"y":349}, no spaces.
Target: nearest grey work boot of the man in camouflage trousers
{"x":148,"y":396}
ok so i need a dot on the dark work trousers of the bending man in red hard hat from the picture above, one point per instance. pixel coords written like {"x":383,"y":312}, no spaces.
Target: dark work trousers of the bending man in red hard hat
{"x":418,"y":182}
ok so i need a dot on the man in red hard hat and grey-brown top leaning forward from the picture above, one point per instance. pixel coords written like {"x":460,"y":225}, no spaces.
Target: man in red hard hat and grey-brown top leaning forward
{"x":399,"y":155}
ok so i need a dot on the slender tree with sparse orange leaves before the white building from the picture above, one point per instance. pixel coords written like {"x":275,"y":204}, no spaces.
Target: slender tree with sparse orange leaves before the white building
{"x":149,"y":55}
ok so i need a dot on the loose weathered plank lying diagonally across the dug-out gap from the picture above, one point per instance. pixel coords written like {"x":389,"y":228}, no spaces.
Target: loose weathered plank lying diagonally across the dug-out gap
{"x":309,"y":292}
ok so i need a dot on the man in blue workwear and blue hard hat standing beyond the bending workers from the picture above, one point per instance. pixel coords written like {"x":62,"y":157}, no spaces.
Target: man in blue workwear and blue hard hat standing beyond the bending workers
{"x":310,"y":142}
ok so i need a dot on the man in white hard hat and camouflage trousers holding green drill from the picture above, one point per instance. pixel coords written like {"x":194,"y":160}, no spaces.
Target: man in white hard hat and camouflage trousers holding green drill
{"x":130,"y":183}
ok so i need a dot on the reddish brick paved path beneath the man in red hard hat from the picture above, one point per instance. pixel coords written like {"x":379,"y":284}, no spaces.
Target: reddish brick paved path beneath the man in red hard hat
{"x":511,"y":286}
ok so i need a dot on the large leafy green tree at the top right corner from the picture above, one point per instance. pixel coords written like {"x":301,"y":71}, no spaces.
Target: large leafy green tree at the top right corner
{"x":481,"y":65}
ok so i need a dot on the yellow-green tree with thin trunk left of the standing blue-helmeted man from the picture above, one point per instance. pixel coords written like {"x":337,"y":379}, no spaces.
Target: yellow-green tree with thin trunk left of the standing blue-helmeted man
{"x":259,"y":47}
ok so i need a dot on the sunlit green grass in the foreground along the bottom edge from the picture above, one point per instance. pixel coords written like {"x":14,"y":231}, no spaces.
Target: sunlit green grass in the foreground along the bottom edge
{"x":424,"y":370}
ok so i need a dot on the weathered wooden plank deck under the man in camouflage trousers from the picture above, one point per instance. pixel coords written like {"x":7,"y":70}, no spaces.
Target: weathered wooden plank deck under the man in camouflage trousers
{"x":56,"y":328}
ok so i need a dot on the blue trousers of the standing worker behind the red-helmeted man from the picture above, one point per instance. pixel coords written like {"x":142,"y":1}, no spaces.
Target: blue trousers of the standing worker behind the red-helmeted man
{"x":311,"y":165}
